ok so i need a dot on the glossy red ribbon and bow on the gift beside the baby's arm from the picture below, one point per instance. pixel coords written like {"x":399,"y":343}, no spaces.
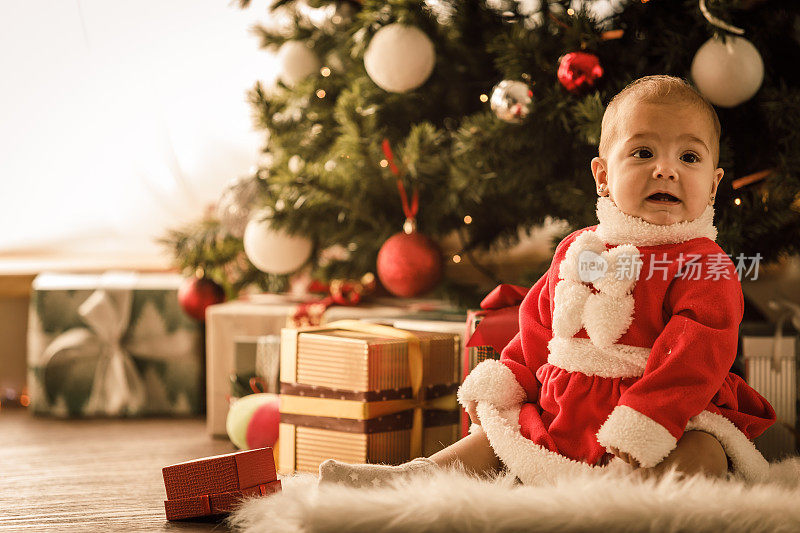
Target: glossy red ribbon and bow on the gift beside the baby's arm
{"x":500,"y":317}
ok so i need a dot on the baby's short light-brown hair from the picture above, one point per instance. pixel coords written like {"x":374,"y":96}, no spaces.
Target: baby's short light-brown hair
{"x":661,"y":89}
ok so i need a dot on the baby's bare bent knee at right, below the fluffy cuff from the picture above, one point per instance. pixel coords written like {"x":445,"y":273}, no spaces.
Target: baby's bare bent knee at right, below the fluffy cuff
{"x":697,"y":452}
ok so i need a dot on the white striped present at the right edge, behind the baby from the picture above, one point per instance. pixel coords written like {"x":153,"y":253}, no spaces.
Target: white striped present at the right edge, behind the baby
{"x":771,"y":359}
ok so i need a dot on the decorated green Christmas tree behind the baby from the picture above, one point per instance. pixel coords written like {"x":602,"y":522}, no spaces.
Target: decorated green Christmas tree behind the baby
{"x":374,"y":93}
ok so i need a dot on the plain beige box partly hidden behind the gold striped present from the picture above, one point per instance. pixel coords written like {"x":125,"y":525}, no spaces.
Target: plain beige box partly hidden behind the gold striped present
{"x":262,"y":315}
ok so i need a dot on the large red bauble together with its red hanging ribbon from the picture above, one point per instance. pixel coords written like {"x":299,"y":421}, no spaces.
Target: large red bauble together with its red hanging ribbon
{"x":409,"y":263}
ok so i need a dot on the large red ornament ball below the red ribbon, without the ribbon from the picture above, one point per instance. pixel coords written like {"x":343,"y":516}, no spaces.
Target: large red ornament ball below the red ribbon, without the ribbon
{"x":409,"y":264}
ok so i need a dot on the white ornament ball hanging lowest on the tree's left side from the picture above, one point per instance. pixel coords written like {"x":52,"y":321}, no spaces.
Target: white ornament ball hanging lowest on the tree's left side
{"x":274,"y":251}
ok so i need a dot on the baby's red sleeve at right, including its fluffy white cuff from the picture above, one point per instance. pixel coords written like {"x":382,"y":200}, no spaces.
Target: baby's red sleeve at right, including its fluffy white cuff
{"x":687,"y":365}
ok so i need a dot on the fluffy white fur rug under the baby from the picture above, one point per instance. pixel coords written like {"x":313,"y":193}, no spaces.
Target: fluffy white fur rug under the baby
{"x":453,"y":501}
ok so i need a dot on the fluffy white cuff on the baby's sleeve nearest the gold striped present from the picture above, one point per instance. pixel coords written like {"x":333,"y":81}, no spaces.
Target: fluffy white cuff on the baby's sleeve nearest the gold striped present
{"x":491,"y":381}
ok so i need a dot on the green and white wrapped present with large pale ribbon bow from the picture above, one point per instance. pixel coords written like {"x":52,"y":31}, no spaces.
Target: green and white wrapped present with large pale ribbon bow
{"x":116,"y":344}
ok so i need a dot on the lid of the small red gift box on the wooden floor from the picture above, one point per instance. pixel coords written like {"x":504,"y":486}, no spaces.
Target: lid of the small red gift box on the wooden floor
{"x":219,"y":474}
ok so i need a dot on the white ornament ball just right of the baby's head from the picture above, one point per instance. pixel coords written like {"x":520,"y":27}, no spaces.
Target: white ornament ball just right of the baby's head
{"x":728,"y":73}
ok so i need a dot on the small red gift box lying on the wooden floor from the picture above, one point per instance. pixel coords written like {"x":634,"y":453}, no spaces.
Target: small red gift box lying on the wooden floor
{"x":215,"y":485}
